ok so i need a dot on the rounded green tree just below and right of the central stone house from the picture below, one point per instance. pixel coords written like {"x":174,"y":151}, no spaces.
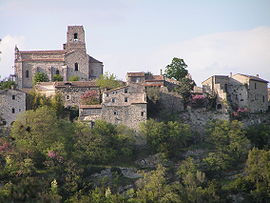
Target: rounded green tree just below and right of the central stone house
{"x":166,"y":137}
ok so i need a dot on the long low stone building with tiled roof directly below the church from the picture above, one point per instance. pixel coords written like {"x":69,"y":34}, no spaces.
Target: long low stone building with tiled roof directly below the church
{"x":71,"y":92}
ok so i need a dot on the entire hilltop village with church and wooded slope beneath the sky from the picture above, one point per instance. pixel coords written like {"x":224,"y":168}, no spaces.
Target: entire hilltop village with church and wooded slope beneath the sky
{"x":72,"y":132}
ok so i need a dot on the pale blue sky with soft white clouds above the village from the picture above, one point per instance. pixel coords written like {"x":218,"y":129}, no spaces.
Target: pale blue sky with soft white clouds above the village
{"x":212,"y":36}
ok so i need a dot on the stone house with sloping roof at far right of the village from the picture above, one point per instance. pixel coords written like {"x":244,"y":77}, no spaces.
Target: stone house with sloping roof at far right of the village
{"x":239,"y":90}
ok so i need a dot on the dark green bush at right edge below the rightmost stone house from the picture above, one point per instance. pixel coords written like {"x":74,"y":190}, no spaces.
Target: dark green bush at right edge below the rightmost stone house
{"x":259,"y":135}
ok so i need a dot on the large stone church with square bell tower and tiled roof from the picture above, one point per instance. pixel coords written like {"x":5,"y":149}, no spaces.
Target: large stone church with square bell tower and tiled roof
{"x":71,"y":61}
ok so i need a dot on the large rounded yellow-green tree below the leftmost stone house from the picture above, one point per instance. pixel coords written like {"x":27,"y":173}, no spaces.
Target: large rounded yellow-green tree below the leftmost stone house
{"x":41,"y":131}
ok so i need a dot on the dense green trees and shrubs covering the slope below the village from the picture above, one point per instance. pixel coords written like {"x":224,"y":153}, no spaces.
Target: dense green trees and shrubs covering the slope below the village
{"x":47,"y":158}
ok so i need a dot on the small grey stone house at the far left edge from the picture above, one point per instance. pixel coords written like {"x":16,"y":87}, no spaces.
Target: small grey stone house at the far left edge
{"x":12,"y":103}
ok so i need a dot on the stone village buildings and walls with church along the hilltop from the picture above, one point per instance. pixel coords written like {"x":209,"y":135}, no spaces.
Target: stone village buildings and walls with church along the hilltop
{"x":129,"y":103}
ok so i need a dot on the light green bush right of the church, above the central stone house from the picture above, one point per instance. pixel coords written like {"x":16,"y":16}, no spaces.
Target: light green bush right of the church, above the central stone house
{"x":108,"y":81}
